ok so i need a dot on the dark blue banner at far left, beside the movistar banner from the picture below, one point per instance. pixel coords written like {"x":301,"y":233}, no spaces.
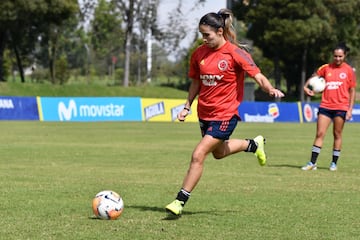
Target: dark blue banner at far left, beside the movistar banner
{"x":18,"y":108}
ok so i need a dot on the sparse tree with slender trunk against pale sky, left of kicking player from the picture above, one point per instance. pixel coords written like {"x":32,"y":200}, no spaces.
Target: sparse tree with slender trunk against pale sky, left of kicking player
{"x":139,"y":23}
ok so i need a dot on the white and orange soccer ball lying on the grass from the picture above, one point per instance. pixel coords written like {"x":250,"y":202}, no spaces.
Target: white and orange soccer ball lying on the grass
{"x":107,"y":205}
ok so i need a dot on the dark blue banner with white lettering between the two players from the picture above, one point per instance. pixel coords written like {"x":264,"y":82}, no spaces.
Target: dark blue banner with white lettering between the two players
{"x":269,"y":112}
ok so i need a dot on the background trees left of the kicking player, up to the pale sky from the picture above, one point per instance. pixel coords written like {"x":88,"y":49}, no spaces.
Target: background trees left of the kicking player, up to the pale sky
{"x":86,"y":37}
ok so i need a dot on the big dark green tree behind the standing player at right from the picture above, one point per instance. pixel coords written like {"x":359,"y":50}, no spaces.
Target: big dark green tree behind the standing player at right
{"x":298,"y":34}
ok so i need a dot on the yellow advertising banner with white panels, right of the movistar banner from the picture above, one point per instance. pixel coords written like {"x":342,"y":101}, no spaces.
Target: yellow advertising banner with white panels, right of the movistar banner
{"x":166,"y":110}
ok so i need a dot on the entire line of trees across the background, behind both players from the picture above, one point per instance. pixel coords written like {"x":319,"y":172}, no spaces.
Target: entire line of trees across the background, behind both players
{"x":61,"y":38}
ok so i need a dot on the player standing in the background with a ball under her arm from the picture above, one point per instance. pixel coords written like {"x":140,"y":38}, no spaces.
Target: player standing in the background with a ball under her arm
{"x":336,"y":104}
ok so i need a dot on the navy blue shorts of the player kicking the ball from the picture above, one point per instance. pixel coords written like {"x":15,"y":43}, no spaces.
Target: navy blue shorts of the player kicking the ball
{"x":219,"y":129}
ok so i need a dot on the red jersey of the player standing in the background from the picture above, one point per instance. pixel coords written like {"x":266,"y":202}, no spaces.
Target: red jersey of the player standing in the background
{"x":339,"y":79}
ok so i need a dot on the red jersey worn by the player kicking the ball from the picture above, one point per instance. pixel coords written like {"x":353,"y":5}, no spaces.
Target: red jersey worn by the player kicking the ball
{"x":221,"y":73}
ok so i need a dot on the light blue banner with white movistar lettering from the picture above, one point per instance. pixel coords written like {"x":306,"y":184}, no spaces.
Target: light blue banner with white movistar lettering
{"x":90,"y":109}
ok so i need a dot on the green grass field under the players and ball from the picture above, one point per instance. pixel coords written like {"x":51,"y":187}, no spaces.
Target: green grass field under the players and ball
{"x":51,"y":171}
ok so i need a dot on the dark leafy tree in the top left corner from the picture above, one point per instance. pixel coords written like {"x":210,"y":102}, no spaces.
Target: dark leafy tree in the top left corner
{"x":23,"y":22}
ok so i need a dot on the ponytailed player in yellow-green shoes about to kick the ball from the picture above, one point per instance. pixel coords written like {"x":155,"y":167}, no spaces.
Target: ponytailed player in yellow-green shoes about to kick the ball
{"x":217,"y":70}
